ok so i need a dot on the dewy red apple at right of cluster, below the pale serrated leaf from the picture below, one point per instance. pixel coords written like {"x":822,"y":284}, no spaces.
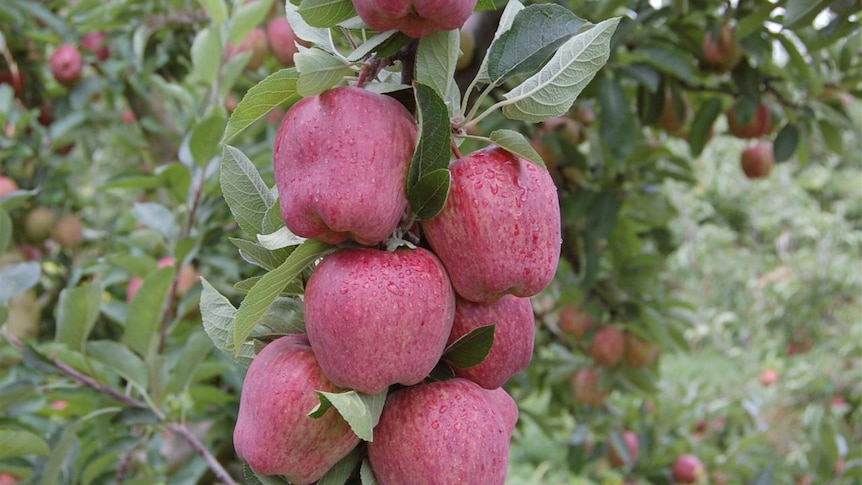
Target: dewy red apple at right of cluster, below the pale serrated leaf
{"x":499,"y":232}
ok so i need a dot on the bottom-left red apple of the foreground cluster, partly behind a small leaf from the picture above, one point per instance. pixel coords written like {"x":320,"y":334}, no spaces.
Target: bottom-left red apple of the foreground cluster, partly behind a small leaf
{"x":273,"y":433}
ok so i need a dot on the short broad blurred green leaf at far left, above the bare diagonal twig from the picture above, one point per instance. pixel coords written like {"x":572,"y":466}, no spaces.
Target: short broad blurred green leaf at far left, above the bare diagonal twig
{"x":77,"y":311}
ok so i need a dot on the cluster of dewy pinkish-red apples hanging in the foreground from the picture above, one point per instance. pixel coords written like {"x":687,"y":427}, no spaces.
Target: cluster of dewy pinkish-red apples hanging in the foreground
{"x":379,"y":320}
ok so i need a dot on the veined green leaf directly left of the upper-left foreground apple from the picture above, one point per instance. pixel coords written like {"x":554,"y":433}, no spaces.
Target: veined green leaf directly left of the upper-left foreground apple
{"x":244,"y":190}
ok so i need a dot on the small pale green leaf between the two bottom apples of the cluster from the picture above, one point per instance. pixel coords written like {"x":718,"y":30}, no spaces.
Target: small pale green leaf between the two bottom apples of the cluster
{"x":361,"y":411}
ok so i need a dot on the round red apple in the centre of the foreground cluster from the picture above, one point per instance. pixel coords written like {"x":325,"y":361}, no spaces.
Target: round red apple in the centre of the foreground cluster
{"x":376,"y":318}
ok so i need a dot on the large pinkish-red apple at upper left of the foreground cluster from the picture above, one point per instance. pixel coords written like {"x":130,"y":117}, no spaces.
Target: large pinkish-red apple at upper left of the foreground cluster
{"x":341,"y":160}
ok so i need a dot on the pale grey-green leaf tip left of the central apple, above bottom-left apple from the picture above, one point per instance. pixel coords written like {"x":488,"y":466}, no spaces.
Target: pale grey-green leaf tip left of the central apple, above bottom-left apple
{"x":218,"y":316}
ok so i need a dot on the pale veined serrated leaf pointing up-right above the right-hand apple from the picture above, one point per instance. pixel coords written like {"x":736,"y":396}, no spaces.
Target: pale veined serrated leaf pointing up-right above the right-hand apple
{"x":552,"y":90}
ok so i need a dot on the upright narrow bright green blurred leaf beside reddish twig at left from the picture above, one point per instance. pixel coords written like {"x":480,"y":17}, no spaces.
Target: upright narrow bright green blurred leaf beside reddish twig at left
{"x":144,"y":316}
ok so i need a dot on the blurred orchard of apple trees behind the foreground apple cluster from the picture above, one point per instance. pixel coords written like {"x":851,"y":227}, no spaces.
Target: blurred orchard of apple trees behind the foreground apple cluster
{"x":743,"y":295}
